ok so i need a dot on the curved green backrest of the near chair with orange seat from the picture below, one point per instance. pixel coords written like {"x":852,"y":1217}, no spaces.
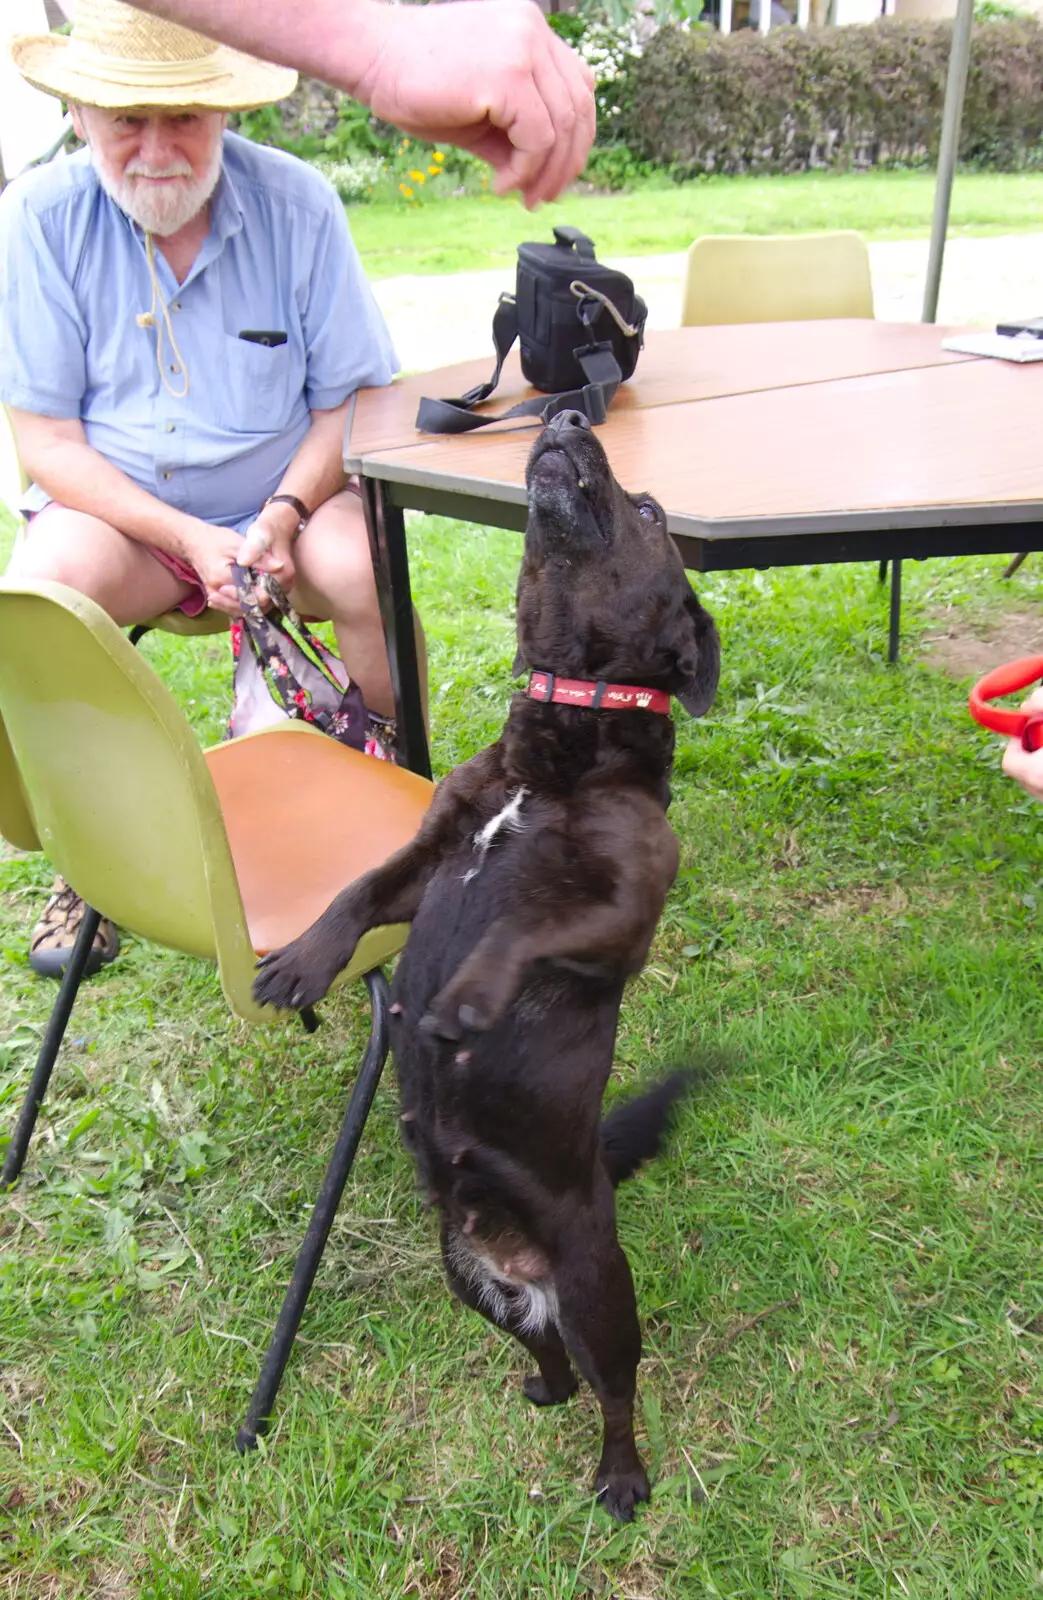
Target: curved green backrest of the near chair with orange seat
{"x":113,"y":782}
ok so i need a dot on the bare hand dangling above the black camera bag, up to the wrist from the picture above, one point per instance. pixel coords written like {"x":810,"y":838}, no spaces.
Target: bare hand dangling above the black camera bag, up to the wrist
{"x":492,"y":78}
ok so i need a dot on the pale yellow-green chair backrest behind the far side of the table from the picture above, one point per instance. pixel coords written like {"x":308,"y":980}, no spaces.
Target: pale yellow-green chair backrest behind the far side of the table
{"x":797,"y":278}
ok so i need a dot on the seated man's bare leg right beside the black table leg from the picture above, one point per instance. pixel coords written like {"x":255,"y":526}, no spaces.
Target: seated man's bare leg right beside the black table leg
{"x":335,"y":583}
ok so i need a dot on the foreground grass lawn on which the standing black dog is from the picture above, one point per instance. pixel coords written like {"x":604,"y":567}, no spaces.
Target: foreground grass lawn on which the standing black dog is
{"x":839,"y":1263}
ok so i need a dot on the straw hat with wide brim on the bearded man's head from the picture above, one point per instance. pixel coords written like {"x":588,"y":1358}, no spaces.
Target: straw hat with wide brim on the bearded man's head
{"x":121,"y":58}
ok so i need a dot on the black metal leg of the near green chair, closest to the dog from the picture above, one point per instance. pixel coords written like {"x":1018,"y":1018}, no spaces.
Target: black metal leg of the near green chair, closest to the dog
{"x":310,"y":1255}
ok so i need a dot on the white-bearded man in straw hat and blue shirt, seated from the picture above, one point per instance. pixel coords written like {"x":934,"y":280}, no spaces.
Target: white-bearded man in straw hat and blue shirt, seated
{"x":183,"y":322}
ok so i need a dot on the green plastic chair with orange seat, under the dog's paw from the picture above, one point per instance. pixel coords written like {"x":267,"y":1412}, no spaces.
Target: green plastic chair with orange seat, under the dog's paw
{"x":223,"y":854}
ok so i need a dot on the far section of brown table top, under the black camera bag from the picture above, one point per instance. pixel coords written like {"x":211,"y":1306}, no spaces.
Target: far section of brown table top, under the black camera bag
{"x":677,"y":366}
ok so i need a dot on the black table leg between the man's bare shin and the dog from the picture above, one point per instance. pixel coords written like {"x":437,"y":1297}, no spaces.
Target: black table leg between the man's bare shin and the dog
{"x":391,"y":566}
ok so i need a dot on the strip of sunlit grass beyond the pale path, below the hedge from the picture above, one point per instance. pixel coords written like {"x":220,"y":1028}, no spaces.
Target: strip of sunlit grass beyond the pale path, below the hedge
{"x":457,"y":236}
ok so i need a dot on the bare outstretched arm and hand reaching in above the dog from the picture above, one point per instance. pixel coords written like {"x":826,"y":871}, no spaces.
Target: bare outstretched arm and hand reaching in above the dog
{"x":489,"y":76}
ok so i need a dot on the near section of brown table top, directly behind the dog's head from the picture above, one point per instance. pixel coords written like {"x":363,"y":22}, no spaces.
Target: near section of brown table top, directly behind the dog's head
{"x":937,"y":444}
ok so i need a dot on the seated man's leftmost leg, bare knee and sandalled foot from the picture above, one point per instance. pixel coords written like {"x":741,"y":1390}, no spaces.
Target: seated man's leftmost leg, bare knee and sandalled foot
{"x":84,"y":553}
